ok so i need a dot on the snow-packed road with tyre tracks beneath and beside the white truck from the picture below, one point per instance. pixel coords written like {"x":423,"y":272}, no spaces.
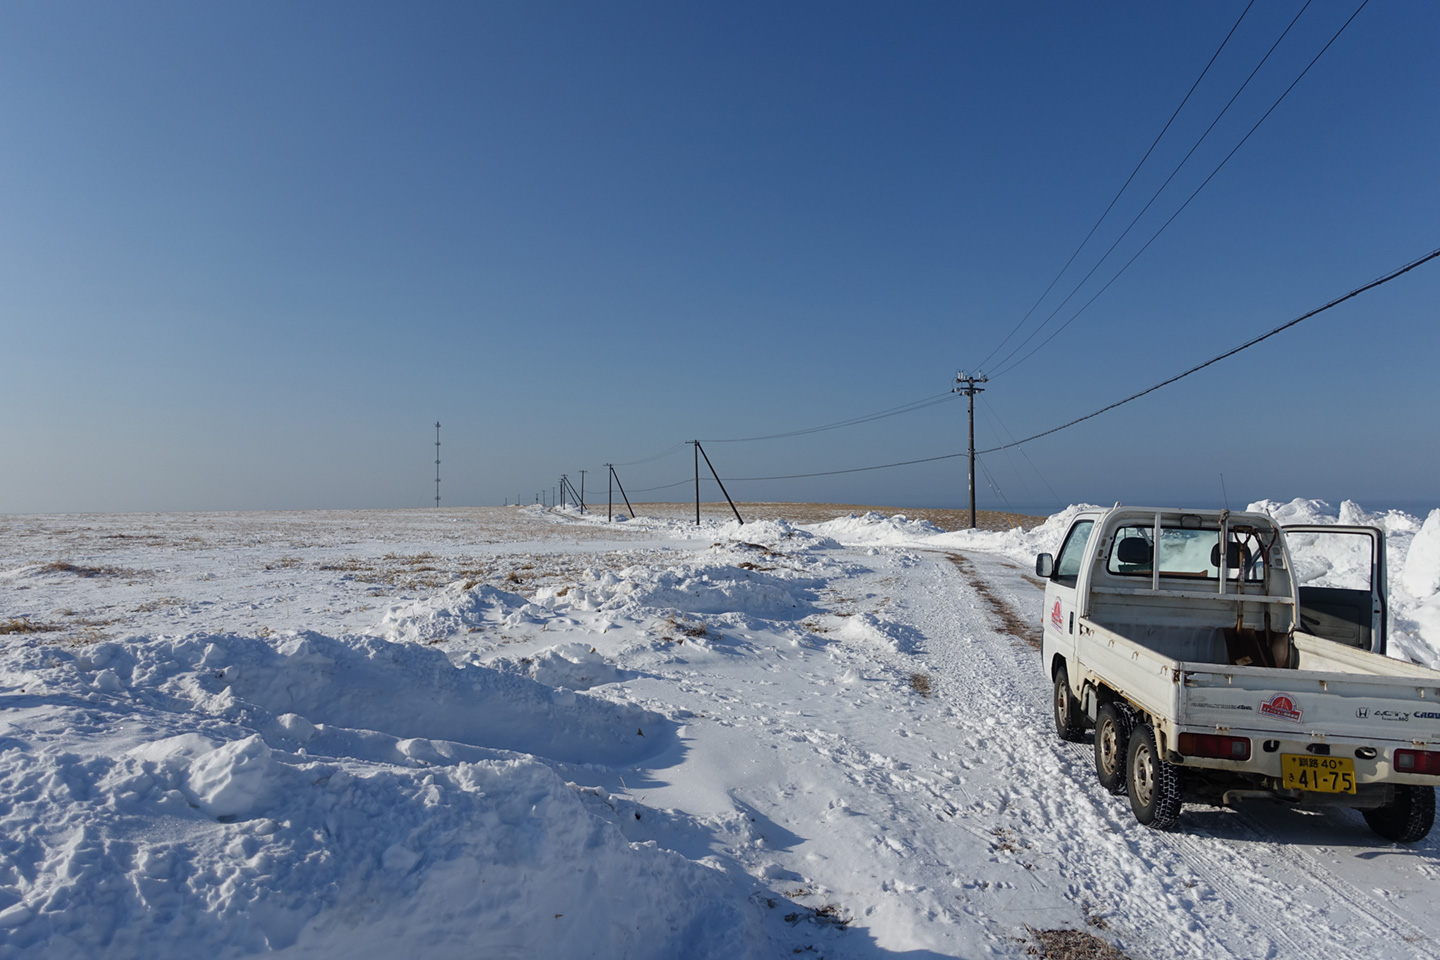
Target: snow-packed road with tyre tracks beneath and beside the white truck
{"x":1254,"y":883}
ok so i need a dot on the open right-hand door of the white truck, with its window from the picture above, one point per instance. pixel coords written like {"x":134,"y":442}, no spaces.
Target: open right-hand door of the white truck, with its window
{"x":1341,"y":576}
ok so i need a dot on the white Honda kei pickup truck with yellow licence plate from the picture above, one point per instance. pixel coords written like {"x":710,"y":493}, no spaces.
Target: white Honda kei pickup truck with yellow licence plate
{"x":1210,"y":674}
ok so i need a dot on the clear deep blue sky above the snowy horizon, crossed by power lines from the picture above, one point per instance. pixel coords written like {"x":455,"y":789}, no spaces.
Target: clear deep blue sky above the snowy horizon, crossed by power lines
{"x":250,"y":254}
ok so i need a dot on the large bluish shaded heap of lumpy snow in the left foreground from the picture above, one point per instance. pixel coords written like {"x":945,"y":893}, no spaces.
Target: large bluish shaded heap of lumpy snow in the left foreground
{"x":326,"y":797}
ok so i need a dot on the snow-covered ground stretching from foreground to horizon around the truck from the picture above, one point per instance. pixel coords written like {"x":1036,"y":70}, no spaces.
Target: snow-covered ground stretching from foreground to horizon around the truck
{"x":513,"y":733}
